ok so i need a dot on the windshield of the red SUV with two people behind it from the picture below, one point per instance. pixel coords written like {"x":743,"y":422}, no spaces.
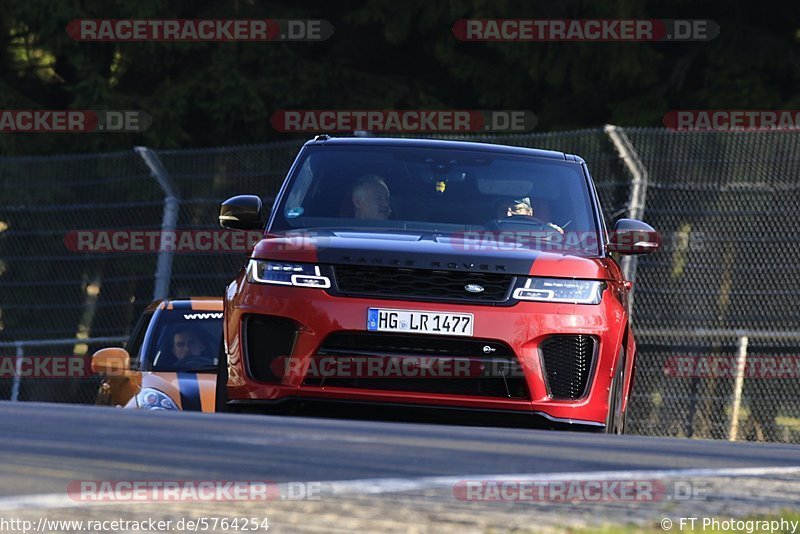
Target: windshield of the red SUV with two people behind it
{"x":444,"y":191}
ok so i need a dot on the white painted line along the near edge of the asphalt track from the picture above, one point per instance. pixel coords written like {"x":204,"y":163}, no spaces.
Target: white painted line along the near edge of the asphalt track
{"x":374,"y":486}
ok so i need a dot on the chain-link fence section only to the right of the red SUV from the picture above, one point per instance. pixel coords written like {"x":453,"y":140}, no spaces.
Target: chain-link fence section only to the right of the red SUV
{"x":722,"y":292}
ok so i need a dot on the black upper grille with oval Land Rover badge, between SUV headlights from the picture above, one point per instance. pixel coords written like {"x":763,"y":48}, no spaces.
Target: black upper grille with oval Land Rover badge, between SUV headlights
{"x":420,"y":284}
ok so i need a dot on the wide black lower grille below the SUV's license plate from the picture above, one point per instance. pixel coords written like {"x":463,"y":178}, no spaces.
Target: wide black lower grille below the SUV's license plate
{"x":485,"y":368}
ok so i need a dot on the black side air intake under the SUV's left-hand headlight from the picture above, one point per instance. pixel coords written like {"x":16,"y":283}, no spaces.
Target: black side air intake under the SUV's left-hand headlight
{"x":269,"y":341}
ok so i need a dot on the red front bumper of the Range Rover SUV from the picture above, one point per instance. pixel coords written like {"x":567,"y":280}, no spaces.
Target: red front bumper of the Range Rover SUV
{"x":522,"y":327}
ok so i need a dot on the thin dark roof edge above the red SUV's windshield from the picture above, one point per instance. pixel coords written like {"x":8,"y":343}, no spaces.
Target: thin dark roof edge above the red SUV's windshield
{"x":436,"y":143}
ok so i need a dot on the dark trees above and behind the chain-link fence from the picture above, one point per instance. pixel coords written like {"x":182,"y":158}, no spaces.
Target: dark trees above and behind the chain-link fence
{"x":384,"y":54}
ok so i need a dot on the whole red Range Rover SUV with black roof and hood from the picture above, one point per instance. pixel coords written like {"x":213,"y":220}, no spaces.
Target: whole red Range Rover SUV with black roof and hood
{"x":426,"y":274}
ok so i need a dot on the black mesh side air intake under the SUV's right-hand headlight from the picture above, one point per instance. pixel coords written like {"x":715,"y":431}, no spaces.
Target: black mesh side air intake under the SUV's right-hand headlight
{"x":568,"y":361}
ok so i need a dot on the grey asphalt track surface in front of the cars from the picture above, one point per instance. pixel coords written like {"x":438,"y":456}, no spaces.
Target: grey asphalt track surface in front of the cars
{"x":43,"y":447}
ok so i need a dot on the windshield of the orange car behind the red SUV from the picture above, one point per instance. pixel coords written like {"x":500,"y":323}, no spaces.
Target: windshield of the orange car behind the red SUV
{"x":185,"y":340}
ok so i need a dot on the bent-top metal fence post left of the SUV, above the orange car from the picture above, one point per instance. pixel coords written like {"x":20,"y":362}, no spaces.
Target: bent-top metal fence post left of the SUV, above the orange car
{"x":169,"y":220}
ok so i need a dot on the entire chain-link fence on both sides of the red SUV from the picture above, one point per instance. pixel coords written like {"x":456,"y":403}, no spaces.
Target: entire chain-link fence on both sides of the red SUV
{"x":720,"y":292}
